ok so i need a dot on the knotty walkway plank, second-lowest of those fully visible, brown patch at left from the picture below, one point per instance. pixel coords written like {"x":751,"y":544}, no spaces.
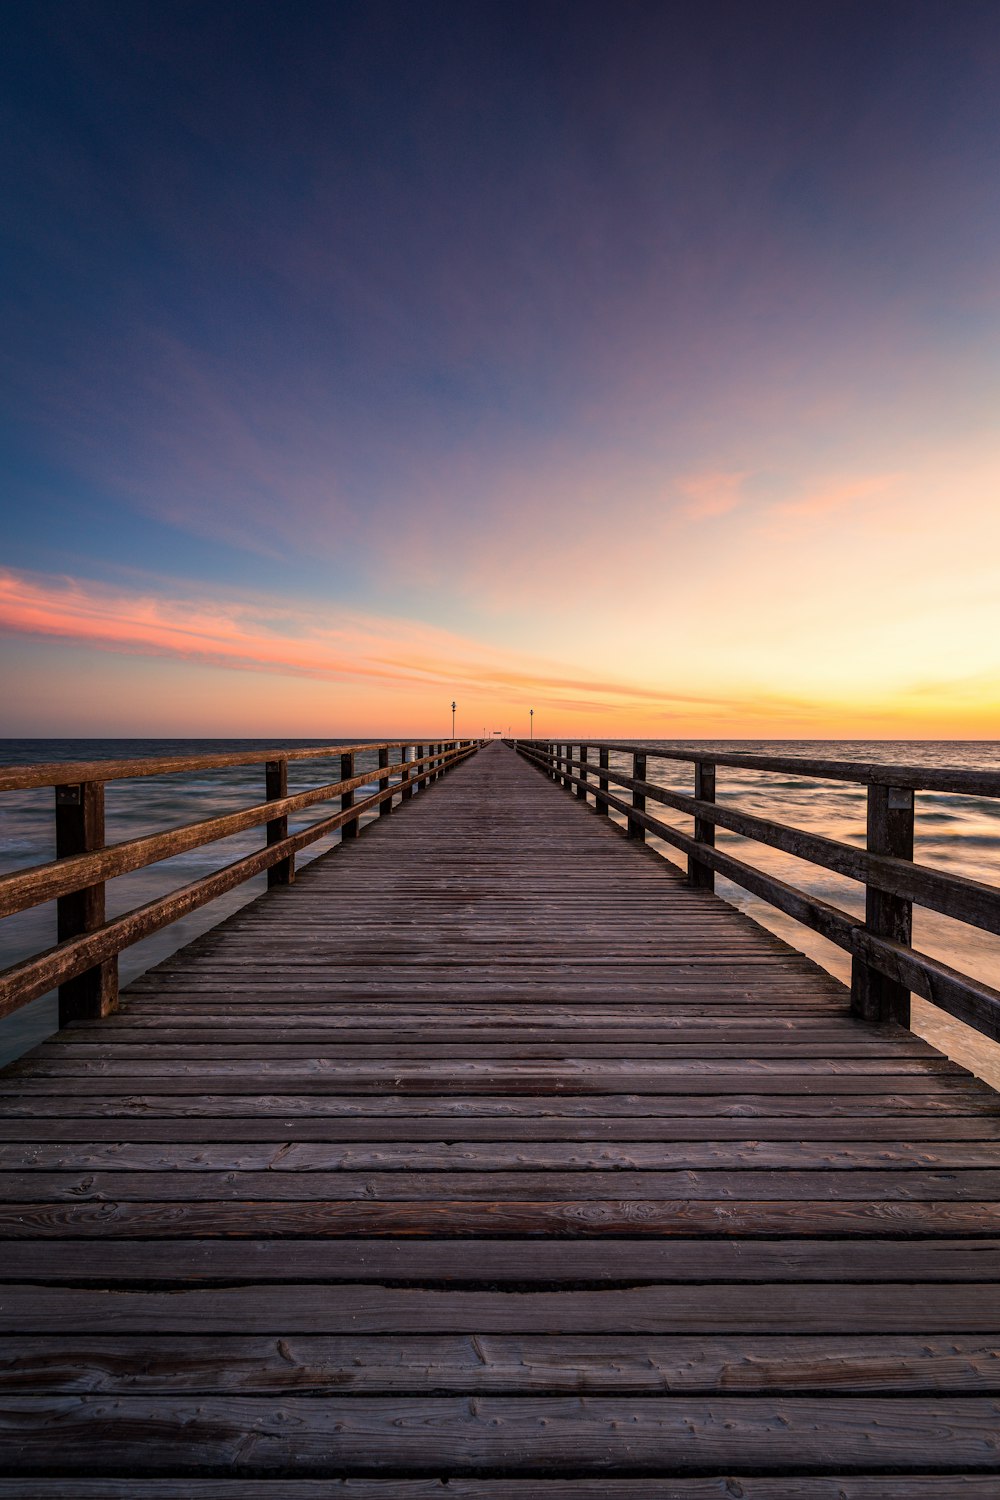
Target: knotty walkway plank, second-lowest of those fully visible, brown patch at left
{"x":501,"y":1364}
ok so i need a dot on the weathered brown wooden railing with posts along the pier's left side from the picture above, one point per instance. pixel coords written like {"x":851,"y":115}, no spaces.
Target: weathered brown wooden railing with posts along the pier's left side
{"x":85,"y":962}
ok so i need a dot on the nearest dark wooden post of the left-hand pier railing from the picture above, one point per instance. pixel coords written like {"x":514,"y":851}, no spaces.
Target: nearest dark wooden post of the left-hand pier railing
{"x":80,"y":830}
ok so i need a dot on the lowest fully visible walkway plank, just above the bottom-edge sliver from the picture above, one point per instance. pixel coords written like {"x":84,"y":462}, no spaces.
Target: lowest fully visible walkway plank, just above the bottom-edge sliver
{"x":536,"y":1435}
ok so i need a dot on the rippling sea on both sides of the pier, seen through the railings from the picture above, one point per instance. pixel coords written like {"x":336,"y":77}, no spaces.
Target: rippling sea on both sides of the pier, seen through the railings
{"x":954,"y":833}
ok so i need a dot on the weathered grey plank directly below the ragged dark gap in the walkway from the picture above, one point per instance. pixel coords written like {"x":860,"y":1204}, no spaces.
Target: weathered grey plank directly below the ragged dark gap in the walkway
{"x":373,"y":1309}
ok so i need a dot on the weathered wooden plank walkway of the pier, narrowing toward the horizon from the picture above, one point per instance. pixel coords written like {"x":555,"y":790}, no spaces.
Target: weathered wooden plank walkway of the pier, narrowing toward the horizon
{"x":493,"y":1153}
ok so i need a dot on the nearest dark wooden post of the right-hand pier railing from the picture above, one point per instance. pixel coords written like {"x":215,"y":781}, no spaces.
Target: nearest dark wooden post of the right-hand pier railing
{"x":873,"y":997}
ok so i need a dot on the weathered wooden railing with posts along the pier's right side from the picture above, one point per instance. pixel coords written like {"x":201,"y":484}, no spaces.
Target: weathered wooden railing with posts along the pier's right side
{"x":885,"y":967}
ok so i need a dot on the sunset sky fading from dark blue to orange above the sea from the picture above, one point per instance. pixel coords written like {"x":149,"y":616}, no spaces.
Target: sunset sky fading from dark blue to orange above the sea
{"x":630,"y":362}
